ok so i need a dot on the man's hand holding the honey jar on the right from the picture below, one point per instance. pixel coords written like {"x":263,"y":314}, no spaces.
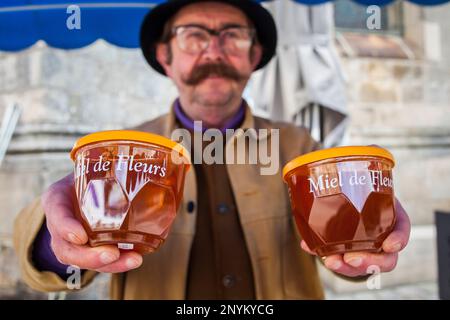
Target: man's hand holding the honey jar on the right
{"x":355,"y":264}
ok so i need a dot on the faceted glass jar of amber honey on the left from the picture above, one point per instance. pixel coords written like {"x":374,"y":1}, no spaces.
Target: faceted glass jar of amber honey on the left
{"x":128,"y":192}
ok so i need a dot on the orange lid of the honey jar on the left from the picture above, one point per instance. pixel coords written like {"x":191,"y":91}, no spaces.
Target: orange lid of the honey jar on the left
{"x":137,"y":136}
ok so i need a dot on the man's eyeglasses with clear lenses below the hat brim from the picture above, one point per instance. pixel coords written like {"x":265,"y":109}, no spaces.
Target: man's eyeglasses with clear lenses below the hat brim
{"x":194,"y":39}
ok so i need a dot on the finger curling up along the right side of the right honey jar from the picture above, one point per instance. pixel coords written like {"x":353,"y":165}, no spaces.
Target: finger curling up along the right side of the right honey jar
{"x":399,"y":237}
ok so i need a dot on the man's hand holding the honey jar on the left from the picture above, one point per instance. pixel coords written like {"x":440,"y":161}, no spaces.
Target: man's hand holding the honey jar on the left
{"x":69,"y":239}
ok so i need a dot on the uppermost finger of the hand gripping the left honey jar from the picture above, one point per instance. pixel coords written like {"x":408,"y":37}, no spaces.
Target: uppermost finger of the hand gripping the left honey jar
{"x":58,"y":203}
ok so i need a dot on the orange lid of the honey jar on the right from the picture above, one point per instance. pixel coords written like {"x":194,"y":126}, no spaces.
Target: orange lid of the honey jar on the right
{"x":336,"y":152}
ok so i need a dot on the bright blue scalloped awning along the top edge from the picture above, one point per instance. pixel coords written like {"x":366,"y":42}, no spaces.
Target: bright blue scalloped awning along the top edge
{"x":23,"y":22}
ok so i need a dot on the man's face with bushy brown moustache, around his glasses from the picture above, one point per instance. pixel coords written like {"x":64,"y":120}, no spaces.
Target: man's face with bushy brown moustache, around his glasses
{"x":211,"y":77}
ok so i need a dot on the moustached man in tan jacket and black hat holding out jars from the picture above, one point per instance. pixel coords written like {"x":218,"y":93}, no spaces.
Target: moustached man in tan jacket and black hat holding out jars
{"x":234,"y":236}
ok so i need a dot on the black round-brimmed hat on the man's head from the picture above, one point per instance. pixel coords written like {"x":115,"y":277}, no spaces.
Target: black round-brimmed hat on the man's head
{"x":153,"y":26}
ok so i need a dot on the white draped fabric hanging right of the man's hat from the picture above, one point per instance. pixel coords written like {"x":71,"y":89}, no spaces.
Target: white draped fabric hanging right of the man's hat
{"x":304,"y":83}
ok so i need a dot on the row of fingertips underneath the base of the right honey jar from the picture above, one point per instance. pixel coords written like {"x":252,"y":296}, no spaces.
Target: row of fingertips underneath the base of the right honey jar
{"x":361,"y":263}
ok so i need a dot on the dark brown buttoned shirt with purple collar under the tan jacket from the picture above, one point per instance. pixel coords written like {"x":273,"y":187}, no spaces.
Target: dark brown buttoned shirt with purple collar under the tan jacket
{"x":219,"y":265}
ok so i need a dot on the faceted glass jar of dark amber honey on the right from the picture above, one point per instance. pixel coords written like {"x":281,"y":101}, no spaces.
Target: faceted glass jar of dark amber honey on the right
{"x":342,"y":203}
